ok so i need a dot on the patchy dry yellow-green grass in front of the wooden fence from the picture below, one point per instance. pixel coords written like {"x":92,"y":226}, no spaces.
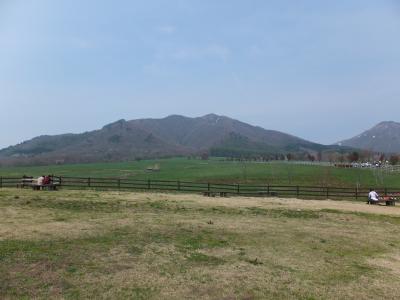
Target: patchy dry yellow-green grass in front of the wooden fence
{"x":90,"y":244}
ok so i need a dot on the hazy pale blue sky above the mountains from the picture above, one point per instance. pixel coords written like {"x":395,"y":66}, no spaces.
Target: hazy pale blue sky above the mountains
{"x":321,"y":70}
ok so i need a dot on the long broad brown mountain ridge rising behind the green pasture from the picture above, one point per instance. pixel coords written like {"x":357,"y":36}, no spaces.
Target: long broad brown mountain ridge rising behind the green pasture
{"x":153,"y":138}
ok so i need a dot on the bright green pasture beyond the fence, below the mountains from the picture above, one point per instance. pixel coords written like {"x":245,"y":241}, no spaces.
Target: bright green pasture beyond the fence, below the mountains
{"x":219,"y":170}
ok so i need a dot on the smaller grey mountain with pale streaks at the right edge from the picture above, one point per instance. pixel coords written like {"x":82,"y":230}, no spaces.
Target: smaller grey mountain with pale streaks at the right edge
{"x":384,"y":137}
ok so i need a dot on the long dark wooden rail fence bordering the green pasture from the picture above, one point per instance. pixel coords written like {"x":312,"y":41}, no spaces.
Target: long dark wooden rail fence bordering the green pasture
{"x":313,"y":192}
